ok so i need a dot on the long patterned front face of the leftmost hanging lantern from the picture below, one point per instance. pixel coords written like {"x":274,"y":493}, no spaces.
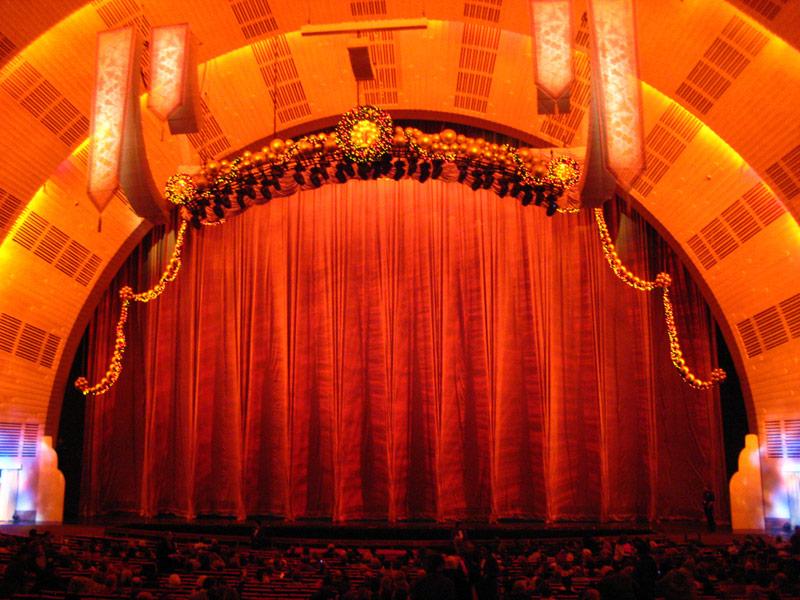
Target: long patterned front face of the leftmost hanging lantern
{"x":116,"y":51}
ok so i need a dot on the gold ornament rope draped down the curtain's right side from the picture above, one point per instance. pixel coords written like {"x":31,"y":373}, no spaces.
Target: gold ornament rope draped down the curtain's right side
{"x":663,"y":281}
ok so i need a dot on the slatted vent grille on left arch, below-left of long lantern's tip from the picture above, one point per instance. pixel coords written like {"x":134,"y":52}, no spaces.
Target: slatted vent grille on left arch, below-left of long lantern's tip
{"x":48,"y":242}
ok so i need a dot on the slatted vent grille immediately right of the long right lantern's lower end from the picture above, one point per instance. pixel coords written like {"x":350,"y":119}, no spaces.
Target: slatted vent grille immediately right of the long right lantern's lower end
{"x":675,"y":129}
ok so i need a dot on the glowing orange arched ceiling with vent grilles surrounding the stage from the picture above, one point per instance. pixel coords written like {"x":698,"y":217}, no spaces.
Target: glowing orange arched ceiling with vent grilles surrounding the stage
{"x":721,"y":85}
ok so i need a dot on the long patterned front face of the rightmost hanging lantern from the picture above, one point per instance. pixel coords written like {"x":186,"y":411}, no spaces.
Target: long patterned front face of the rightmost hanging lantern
{"x":615,"y":70}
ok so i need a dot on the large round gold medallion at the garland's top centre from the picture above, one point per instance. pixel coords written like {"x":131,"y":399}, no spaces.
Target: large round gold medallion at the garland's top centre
{"x":364,"y":134}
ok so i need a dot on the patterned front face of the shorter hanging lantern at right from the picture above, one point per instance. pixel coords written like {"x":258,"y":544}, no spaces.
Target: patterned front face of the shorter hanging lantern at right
{"x":552,"y":42}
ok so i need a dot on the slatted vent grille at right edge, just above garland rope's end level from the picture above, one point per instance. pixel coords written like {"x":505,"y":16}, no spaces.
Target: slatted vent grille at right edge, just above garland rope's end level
{"x":772,"y":327}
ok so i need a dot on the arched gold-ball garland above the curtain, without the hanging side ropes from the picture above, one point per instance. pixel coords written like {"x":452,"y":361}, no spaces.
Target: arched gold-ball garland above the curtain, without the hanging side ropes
{"x":363,"y":146}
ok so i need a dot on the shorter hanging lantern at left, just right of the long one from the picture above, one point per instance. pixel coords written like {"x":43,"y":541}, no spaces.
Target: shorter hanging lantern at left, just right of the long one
{"x":173,"y":89}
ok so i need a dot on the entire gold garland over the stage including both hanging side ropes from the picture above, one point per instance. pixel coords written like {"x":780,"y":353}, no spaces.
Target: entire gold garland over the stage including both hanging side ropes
{"x":364,"y":134}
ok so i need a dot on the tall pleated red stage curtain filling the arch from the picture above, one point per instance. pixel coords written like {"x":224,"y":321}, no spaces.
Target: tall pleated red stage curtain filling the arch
{"x":385,"y":350}
